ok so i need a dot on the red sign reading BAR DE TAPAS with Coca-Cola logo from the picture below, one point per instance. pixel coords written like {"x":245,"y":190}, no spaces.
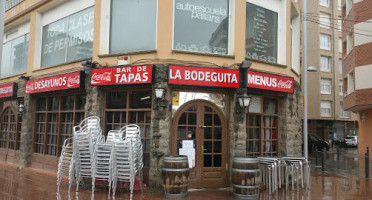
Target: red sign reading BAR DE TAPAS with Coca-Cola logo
{"x":122,"y":75}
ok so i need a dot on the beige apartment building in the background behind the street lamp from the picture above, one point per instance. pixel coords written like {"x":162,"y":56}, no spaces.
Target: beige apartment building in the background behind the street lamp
{"x":326,"y":115}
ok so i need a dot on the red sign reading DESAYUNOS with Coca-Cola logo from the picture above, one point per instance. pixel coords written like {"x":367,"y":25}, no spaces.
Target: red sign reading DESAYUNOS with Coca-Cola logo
{"x":60,"y":82}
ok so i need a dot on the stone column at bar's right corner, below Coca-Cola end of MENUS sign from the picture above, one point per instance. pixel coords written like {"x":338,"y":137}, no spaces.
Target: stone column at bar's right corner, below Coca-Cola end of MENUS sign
{"x":290,"y":123}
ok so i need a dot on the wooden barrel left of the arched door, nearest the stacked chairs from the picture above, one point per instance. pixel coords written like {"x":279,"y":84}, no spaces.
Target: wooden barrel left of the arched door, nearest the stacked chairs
{"x":175,"y":176}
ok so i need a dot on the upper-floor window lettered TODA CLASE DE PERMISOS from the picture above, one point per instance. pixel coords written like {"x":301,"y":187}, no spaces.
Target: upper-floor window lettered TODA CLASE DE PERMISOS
{"x":68,"y":39}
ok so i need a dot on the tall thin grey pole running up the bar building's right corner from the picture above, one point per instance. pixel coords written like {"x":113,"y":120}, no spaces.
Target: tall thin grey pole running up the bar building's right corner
{"x":304,"y":45}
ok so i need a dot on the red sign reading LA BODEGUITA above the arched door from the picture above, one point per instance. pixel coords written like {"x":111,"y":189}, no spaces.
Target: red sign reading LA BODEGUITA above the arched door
{"x":215,"y":77}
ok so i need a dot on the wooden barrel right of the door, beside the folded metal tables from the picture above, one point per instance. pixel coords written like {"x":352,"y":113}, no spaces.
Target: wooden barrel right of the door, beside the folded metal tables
{"x":246,"y":177}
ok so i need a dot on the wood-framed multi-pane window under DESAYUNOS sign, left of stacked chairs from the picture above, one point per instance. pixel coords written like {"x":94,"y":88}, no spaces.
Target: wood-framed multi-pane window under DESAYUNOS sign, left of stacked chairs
{"x":55,"y":117}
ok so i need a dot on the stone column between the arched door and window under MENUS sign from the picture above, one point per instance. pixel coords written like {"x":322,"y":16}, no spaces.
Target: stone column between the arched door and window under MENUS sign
{"x":237,"y":125}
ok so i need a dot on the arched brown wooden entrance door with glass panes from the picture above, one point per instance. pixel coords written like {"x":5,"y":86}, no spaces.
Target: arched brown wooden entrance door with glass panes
{"x":204,"y":124}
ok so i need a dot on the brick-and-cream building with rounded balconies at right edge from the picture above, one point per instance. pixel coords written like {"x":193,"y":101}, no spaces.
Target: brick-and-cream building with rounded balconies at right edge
{"x":357,"y":65}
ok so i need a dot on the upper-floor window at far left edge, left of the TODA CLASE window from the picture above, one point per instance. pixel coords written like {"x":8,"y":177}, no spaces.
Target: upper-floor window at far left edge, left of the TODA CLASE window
{"x":14,"y":56}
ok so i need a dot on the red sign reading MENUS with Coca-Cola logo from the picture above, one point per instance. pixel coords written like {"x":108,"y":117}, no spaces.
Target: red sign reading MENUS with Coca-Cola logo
{"x":269,"y":82}
